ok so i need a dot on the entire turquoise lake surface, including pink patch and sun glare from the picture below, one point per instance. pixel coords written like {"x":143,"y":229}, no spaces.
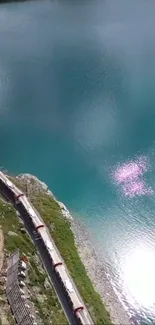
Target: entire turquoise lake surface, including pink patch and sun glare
{"x":77,"y":109}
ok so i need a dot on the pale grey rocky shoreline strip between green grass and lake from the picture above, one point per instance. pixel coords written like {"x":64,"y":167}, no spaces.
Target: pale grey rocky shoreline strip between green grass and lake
{"x":94,"y":265}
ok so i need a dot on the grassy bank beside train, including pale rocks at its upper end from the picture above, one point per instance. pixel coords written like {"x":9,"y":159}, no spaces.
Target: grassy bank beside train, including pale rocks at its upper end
{"x":59,"y":222}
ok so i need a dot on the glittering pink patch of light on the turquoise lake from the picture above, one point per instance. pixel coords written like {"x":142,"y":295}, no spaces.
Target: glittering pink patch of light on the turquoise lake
{"x":129,"y":175}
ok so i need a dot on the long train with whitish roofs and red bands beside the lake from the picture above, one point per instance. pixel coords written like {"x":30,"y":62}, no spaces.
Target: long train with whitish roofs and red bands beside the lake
{"x":16,"y":196}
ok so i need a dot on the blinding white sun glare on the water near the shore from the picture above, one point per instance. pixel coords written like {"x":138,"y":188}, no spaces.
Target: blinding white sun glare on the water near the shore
{"x":138,"y":276}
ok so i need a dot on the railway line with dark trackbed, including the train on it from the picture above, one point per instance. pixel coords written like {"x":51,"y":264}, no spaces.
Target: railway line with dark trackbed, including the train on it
{"x":68,"y":295}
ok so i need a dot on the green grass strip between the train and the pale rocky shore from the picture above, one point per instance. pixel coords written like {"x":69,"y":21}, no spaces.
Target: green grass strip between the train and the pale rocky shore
{"x":60,"y":230}
